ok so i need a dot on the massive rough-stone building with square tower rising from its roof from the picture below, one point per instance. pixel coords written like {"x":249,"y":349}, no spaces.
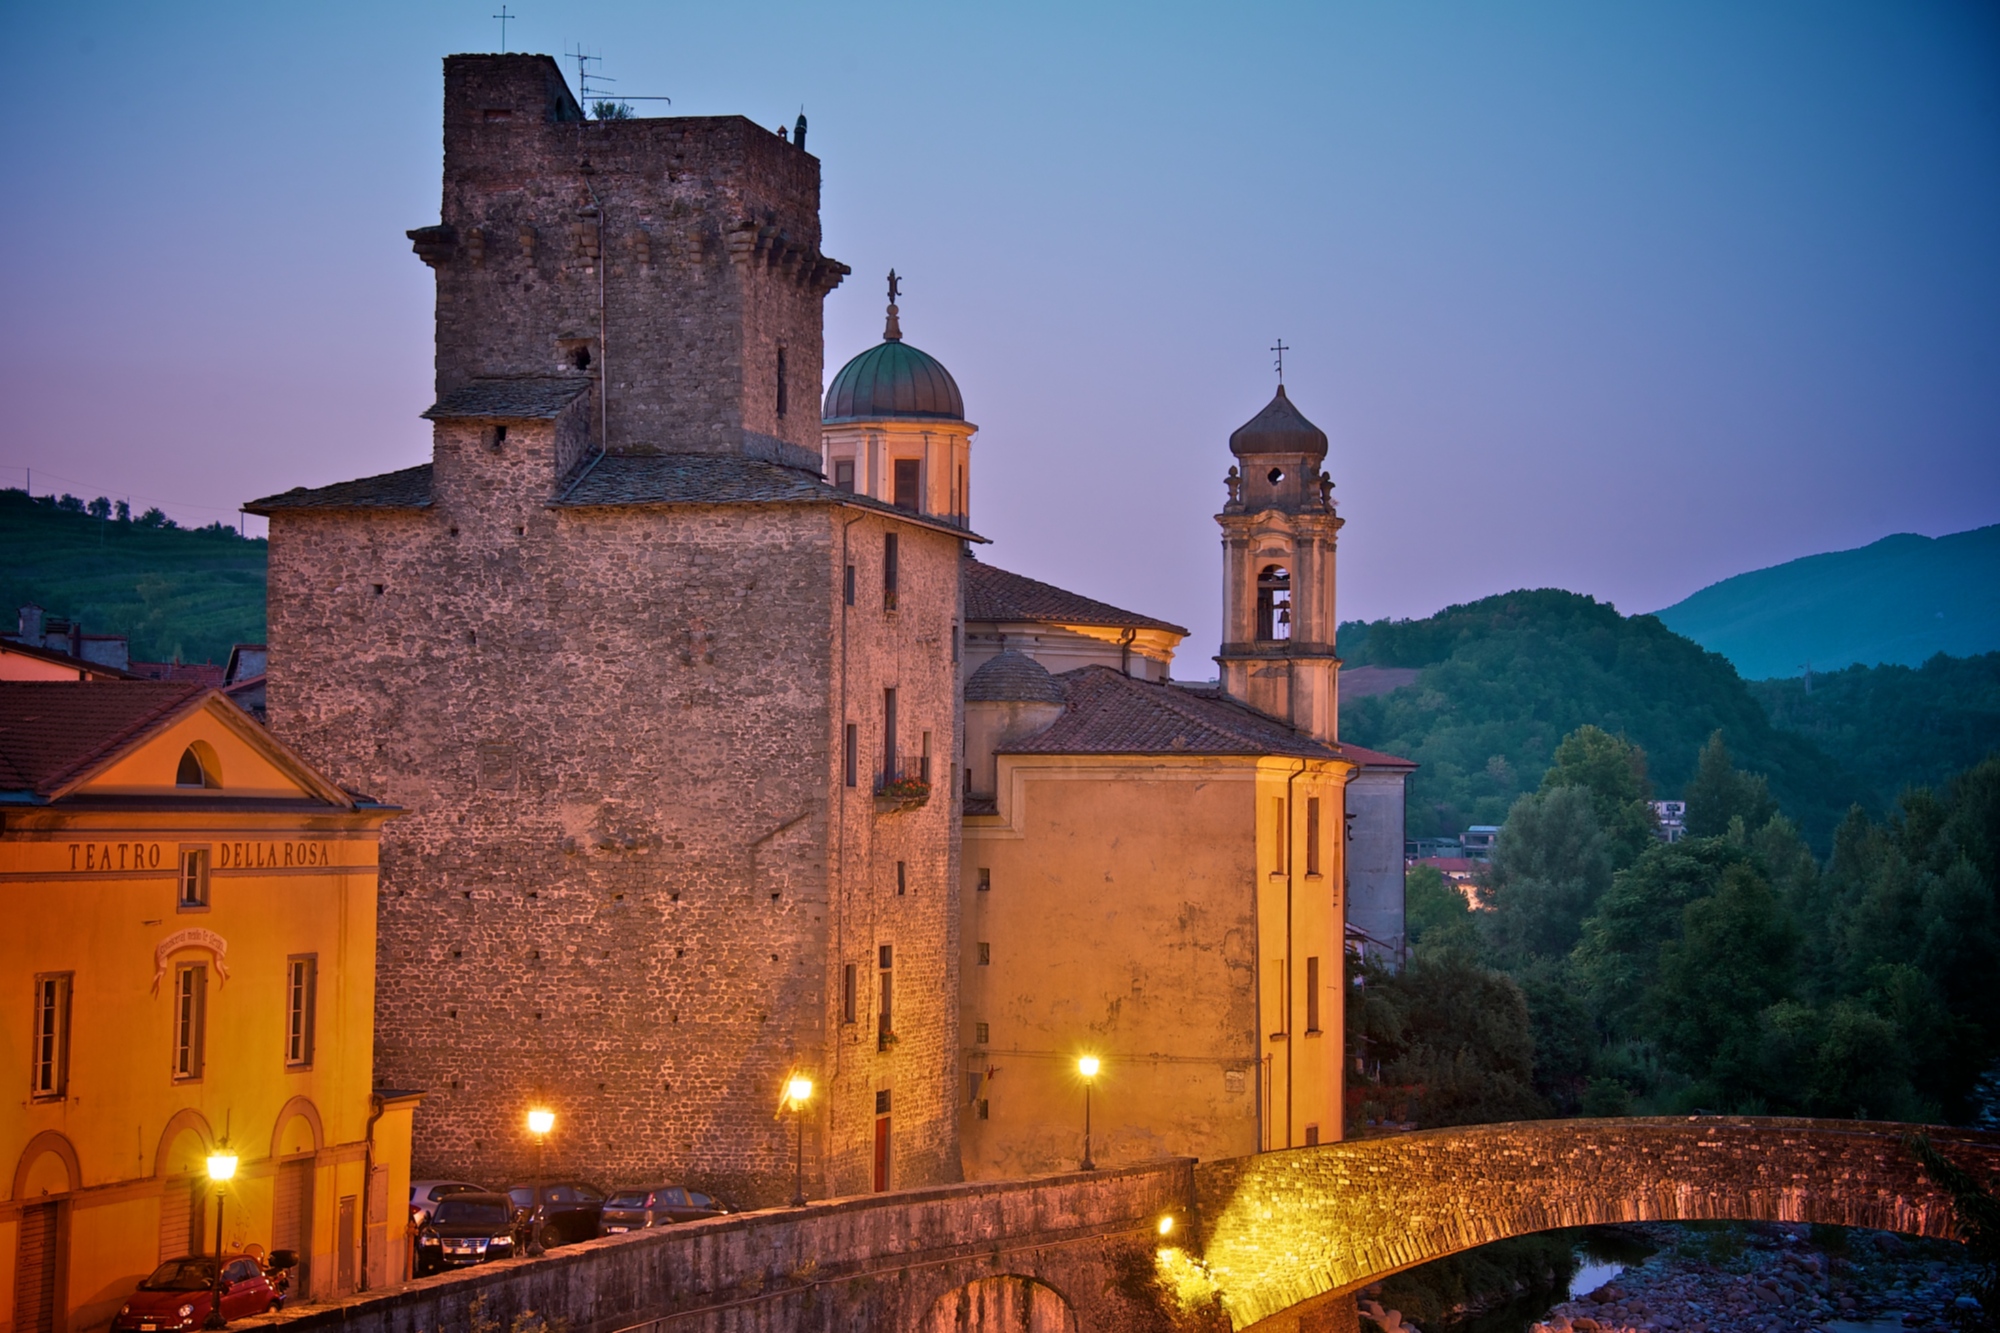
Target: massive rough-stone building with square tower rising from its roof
{"x":657,"y":698}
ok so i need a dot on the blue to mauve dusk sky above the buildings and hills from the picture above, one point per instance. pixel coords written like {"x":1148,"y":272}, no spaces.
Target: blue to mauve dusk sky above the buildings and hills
{"x":1621,"y":299}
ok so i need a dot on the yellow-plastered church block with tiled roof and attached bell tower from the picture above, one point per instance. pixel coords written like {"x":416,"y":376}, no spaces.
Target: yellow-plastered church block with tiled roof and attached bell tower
{"x":1157,"y":876}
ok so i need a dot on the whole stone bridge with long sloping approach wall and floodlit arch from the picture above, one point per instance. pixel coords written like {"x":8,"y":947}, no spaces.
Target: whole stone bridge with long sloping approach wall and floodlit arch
{"x":1275,"y":1242}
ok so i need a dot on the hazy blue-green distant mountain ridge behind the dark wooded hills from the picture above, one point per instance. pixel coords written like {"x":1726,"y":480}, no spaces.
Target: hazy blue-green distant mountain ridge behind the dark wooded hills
{"x":1901,"y":601}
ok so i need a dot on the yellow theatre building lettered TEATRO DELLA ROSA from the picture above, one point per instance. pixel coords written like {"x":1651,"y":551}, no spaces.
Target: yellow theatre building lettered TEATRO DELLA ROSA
{"x":189,"y":966}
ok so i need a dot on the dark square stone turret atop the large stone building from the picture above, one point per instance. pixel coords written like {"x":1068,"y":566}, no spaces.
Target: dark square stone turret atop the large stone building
{"x":699,"y":235}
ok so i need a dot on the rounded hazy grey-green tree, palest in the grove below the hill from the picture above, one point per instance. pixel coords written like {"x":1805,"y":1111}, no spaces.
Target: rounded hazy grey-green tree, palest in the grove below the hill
{"x":1551,"y":868}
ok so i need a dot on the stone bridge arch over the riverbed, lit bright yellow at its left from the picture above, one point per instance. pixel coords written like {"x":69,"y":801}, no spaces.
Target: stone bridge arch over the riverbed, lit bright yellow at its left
{"x":1297,"y":1228}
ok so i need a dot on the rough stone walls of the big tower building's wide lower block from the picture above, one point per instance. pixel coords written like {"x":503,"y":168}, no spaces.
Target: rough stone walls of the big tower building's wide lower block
{"x":617,"y":740}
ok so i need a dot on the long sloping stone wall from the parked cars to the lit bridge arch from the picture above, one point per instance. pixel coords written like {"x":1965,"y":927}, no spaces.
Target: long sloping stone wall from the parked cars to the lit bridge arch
{"x":873,"y":1266}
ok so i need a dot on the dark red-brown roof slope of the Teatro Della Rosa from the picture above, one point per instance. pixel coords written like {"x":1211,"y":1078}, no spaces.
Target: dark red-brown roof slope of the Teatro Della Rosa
{"x":51,"y":732}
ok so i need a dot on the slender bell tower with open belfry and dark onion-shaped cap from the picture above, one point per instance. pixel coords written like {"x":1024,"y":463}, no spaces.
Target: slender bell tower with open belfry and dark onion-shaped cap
{"x":1279,"y":533}
